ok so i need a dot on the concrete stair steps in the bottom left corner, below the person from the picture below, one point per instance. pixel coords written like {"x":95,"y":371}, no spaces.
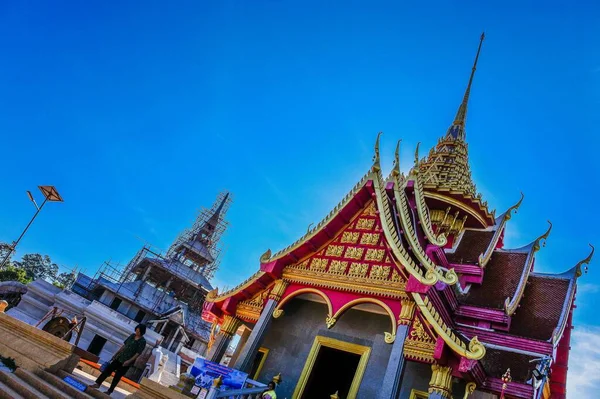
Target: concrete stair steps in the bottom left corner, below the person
{"x":23,"y":384}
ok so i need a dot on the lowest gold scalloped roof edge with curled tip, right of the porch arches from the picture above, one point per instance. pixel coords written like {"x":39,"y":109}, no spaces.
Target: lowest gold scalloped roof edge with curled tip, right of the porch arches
{"x":475,"y":350}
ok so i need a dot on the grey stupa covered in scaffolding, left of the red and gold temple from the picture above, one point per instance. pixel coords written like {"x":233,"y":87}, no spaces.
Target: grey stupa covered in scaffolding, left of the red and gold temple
{"x":165,"y":291}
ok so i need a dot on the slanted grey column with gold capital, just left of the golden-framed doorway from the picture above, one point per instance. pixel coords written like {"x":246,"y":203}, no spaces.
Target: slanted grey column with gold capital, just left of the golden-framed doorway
{"x":248,"y":352}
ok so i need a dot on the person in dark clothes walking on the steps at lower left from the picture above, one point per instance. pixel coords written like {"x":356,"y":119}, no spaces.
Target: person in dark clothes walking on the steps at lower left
{"x":132,"y":347}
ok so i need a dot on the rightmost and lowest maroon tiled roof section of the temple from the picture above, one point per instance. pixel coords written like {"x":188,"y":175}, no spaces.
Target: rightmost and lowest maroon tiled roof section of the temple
{"x":540,"y":308}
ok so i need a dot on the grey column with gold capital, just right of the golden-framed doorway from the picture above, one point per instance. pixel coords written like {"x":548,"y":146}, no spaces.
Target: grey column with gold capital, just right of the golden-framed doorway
{"x":390,"y":388}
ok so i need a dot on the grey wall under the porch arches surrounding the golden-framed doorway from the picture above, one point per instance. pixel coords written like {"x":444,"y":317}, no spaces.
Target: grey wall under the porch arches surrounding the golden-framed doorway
{"x":290,"y":339}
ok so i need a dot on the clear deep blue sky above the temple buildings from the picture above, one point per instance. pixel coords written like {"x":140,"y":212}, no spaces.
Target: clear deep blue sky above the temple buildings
{"x":141,"y":112}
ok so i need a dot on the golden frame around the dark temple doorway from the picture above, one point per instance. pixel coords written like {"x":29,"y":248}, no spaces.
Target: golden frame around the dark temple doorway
{"x":320,"y":341}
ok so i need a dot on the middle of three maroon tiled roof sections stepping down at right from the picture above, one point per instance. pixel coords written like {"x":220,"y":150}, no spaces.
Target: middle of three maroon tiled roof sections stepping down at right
{"x":500,"y":281}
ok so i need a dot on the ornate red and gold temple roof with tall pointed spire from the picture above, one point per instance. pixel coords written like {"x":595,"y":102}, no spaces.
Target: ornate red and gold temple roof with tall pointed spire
{"x":420,"y":222}
